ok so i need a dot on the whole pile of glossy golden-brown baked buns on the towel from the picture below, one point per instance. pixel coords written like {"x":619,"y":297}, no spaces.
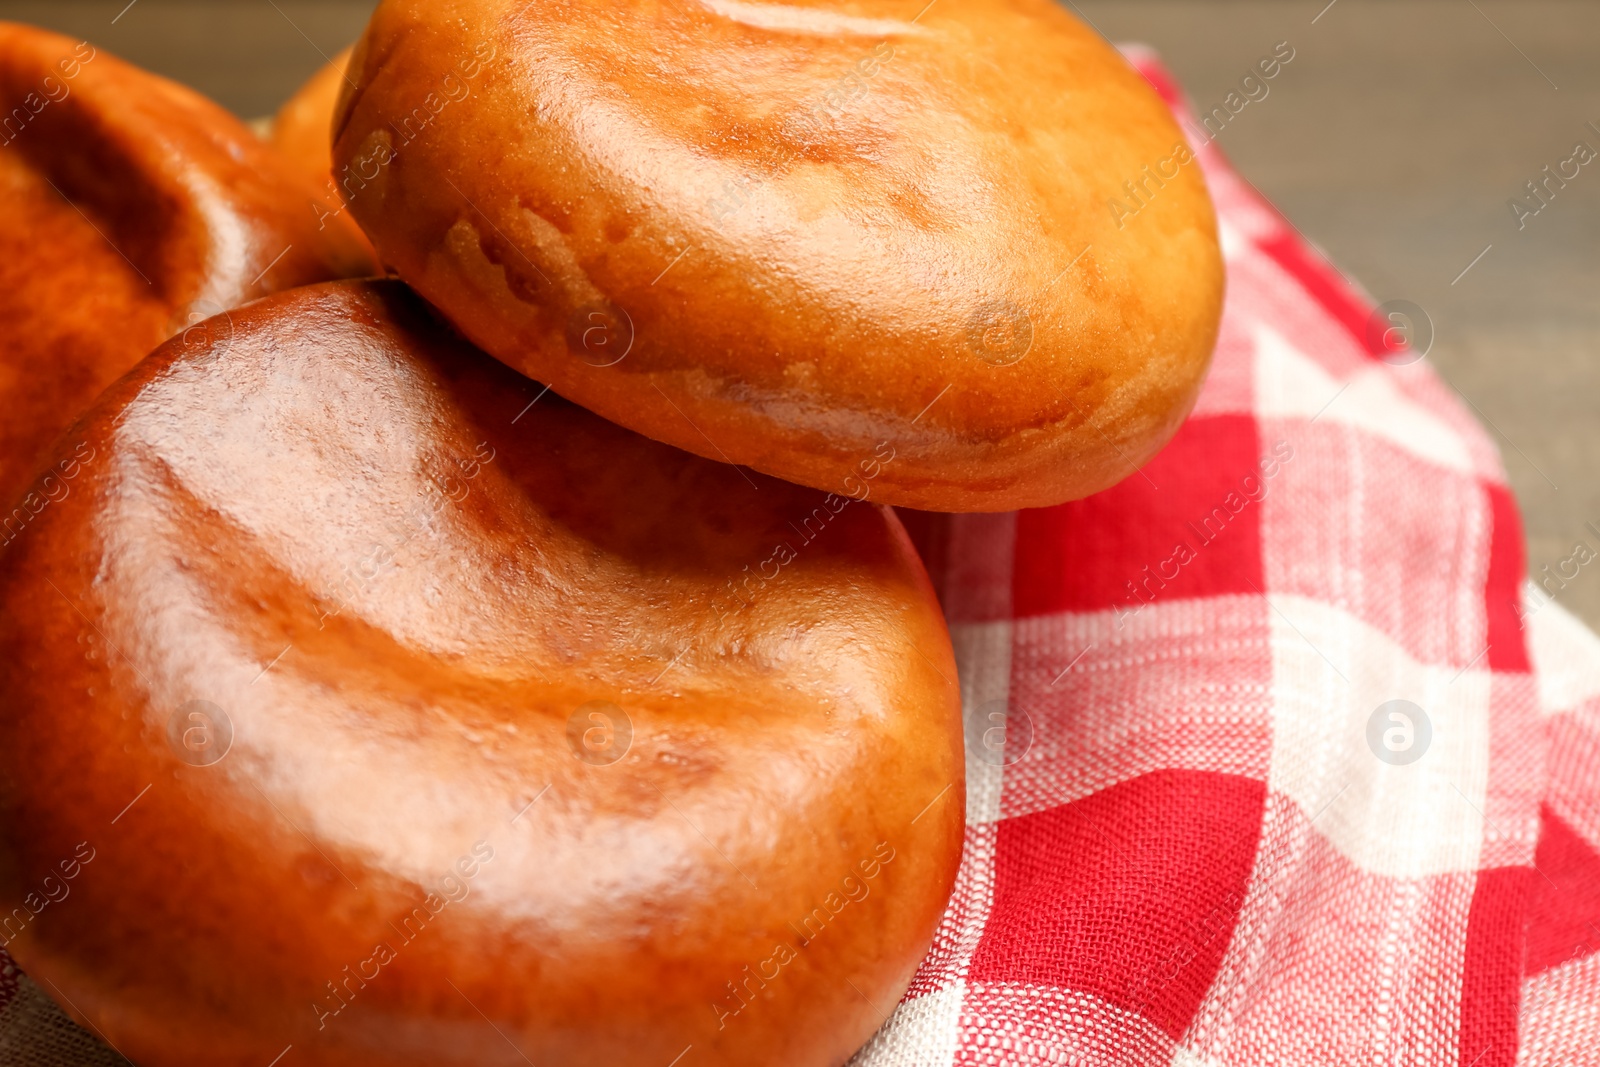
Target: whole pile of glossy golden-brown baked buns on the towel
{"x":450,"y":605}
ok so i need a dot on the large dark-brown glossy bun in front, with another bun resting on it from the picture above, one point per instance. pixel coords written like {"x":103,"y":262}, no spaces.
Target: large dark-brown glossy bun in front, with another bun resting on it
{"x":399,"y":583}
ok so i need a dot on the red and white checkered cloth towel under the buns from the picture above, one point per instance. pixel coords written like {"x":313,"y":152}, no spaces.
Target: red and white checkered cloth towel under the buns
{"x":1273,"y":759}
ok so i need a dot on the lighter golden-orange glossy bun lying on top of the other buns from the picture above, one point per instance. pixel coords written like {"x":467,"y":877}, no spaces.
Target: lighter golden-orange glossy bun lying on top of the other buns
{"x":786,"y":234}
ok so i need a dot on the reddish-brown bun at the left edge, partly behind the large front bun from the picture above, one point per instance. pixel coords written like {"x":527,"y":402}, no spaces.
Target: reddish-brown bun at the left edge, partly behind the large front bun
{"x":130,"y":209}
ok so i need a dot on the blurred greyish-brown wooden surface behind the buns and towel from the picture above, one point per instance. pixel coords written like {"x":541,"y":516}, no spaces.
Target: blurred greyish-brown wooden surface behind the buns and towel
{"x":1394,"y":140}
